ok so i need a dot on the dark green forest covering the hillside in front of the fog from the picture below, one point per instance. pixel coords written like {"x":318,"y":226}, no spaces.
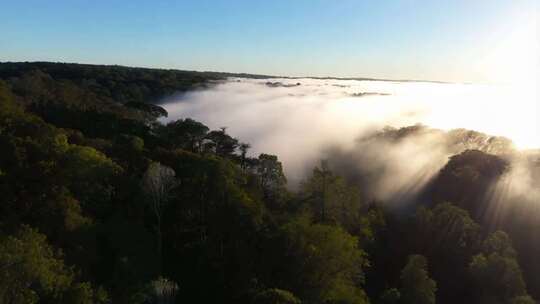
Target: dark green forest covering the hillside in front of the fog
{"x":103,"y":203}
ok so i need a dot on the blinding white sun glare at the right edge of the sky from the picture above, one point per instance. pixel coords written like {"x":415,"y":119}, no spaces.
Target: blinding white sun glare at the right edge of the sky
{"x":513,"y":63}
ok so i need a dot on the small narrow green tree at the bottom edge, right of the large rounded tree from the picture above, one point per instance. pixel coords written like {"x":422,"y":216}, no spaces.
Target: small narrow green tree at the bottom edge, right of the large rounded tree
{"x":416,"y":285}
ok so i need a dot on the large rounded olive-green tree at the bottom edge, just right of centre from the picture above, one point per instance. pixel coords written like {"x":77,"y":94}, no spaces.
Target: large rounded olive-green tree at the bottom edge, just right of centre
{"x":325,"y":263}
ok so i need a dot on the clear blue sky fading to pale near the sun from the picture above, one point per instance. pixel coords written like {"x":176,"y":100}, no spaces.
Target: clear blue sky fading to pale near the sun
{"x":437,"y":39}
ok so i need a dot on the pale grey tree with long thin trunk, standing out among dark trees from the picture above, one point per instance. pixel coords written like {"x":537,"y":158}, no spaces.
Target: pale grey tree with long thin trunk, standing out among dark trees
{"x":158,"y":180}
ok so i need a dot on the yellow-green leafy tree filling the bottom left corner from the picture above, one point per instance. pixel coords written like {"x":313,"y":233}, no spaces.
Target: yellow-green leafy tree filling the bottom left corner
{"x":31,"y":271}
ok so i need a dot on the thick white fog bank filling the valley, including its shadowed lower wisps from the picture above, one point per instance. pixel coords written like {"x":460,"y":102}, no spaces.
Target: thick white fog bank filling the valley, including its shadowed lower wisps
{"x":356,"y":126}
